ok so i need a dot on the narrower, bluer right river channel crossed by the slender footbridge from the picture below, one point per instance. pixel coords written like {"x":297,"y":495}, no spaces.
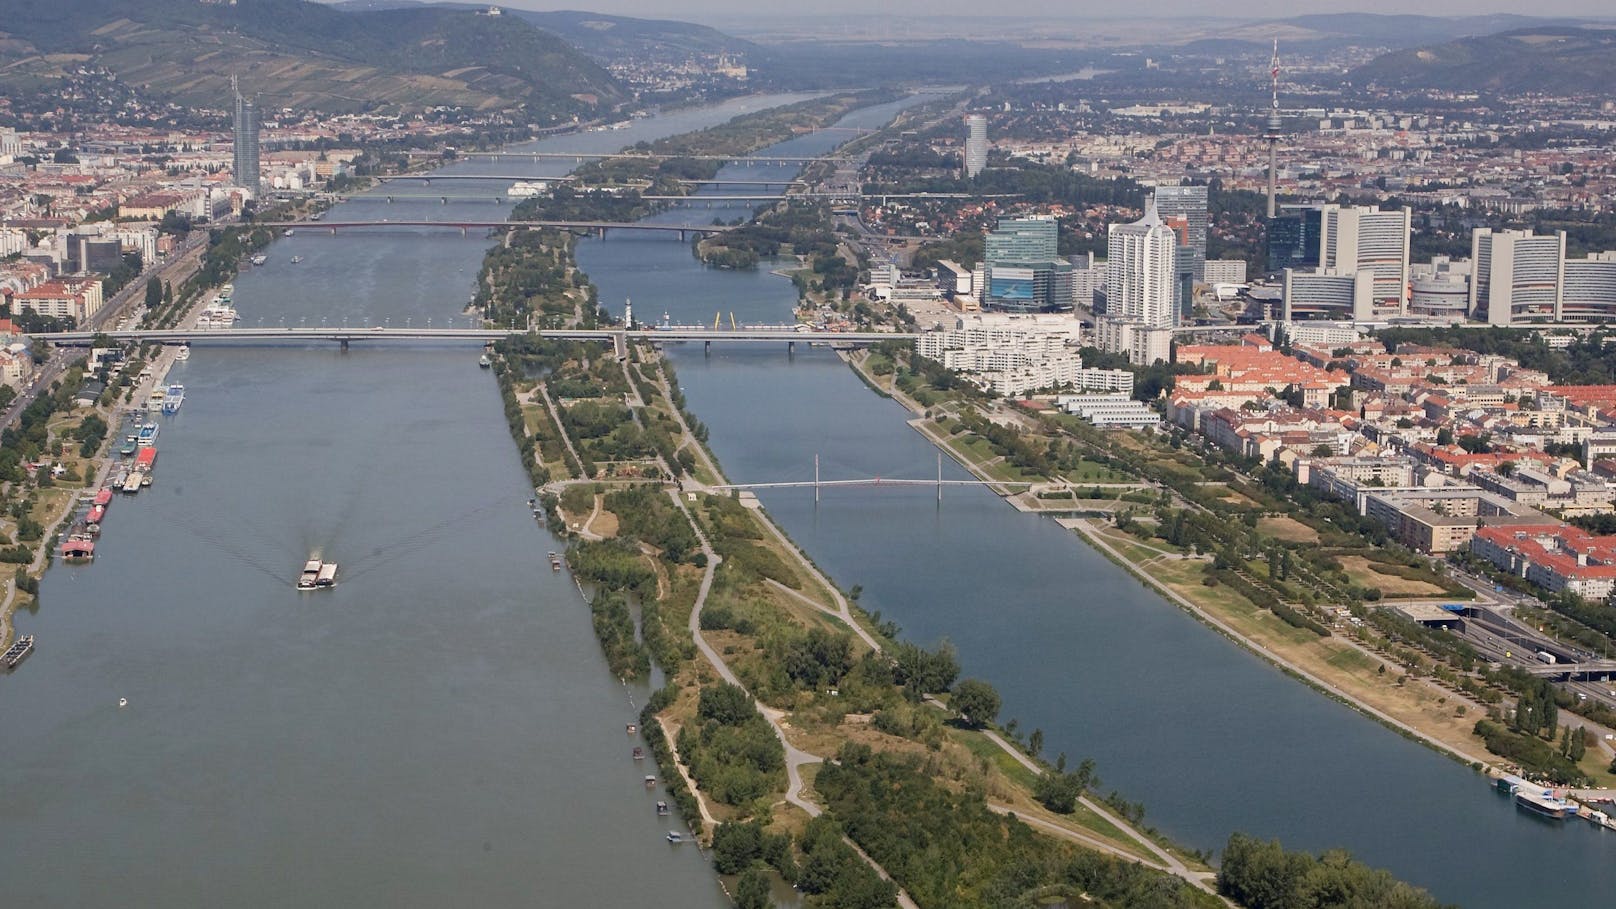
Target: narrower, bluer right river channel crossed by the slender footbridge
{"x":1206,"y":735}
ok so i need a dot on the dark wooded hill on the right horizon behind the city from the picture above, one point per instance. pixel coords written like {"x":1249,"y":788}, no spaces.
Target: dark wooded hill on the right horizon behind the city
{"x":1526,"y":61}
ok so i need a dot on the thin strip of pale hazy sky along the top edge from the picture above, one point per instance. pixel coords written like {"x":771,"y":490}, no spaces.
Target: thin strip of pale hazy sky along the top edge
{"x":709,"y":11}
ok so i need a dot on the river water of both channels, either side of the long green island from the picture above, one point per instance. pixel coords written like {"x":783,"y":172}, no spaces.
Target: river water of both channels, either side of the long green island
{"x":442,"y":729}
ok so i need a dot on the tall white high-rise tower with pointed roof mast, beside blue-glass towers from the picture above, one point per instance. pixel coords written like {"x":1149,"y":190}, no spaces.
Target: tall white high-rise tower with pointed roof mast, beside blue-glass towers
{"x":1142,"y":289}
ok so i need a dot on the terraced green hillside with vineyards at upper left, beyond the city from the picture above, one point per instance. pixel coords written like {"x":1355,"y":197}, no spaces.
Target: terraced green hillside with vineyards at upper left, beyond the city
{"x":308,"y":56}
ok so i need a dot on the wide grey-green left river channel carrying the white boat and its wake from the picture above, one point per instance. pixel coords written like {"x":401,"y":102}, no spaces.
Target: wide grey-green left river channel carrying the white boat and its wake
{"x":439,"y":730}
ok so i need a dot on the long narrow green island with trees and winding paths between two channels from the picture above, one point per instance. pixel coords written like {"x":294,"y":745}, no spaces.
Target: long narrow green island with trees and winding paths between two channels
{"x":917,"y":784}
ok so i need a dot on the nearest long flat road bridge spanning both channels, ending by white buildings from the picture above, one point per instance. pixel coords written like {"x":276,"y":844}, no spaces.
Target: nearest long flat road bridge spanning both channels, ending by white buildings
{"x":755,"y":334}
